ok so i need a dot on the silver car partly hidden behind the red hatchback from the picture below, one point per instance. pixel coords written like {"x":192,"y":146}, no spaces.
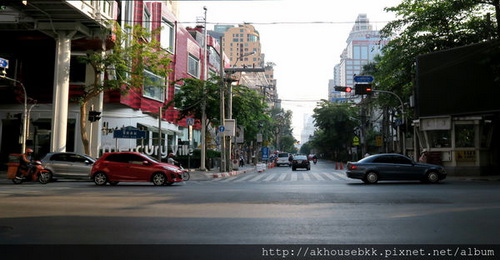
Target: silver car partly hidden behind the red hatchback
{"x":68,"y":165}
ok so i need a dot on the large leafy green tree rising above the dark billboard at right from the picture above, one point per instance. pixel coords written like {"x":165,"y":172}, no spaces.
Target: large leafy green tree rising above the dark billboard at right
{"x":425,"y":26}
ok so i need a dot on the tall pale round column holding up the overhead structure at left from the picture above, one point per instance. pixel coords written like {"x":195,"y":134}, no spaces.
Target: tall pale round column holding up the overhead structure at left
{"x":61,"y":91}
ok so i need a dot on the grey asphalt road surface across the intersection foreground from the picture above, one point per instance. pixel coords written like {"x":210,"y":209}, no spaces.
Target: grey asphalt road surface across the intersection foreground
{"x":277,"y":206}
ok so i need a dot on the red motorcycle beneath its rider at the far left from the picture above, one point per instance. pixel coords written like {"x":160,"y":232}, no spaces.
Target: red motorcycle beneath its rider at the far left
{"x":37,"y":172}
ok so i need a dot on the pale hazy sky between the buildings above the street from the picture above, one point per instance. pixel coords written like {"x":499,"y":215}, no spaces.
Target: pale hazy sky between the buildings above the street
{"x":304,"y":38}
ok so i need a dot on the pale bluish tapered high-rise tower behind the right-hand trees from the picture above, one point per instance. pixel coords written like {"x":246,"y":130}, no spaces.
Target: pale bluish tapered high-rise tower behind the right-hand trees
{"x":363,"y":44}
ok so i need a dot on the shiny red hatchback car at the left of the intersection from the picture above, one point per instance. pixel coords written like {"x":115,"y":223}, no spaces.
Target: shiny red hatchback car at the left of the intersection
{"x":133,"y":167}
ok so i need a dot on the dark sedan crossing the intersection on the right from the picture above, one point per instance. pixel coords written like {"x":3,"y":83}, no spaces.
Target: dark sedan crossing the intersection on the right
{"x":394,"y":167}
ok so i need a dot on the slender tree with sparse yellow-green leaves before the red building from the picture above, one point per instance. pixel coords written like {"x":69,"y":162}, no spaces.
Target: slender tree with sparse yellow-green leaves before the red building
{"x":128,"y":59}
